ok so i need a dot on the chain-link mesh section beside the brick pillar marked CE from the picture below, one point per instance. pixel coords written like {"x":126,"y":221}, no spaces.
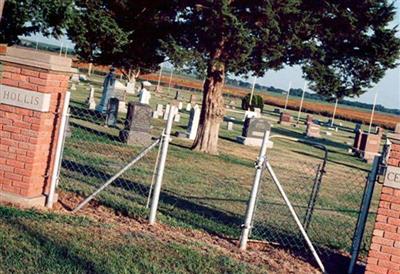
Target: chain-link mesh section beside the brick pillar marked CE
{"x":326,"y":198}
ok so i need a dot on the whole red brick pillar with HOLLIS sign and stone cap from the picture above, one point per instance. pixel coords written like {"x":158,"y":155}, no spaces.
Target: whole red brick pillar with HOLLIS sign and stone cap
{"x":32,"y":89}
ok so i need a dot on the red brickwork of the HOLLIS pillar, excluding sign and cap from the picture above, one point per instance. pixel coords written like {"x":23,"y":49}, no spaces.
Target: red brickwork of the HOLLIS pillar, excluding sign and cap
{"x":28,"y":137}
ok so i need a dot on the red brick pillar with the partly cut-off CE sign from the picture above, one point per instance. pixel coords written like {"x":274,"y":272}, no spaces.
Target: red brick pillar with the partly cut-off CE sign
{"x":384,"y":253}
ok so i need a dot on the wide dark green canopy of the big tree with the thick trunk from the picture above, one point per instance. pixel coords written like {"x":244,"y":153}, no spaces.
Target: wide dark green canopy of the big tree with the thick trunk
{"x":343,"y":46}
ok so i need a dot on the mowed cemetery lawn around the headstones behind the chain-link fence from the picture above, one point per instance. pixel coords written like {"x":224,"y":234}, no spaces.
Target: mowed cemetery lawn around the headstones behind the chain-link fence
{"x":210,"y":192}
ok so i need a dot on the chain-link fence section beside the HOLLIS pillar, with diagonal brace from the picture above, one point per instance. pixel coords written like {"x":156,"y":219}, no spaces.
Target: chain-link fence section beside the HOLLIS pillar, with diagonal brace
{"x":94,"y":152}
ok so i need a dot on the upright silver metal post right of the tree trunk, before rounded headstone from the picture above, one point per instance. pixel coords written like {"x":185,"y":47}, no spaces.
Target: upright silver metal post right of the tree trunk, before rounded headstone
{"x":254,"y":191}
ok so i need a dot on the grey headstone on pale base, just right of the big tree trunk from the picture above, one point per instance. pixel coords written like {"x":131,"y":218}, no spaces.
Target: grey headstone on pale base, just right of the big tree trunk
{"x":253,"y":132}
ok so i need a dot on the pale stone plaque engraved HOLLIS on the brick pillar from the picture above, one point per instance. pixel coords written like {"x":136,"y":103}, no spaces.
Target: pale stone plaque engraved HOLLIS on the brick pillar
{"x":24,"y":98}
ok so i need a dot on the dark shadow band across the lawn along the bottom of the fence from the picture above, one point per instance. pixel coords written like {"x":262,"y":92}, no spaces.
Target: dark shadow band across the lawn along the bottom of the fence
{"x":181,"y":210}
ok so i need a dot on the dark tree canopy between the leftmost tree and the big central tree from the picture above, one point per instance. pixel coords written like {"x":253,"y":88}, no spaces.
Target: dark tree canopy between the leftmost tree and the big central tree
{"x":126,"y":34}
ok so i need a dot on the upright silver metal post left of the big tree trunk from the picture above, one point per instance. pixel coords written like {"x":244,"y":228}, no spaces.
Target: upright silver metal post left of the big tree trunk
{"x":161,"y":166}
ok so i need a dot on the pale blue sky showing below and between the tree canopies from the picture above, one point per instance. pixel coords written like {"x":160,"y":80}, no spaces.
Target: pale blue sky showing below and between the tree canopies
{"x":388,"y":88}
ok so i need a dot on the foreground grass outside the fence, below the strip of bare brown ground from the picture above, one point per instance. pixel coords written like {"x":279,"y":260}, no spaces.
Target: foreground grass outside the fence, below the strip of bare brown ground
{"x":34,"y":242}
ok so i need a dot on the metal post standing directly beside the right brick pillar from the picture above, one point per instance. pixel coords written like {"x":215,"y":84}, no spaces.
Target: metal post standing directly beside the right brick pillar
{"x":362,"y":217}
